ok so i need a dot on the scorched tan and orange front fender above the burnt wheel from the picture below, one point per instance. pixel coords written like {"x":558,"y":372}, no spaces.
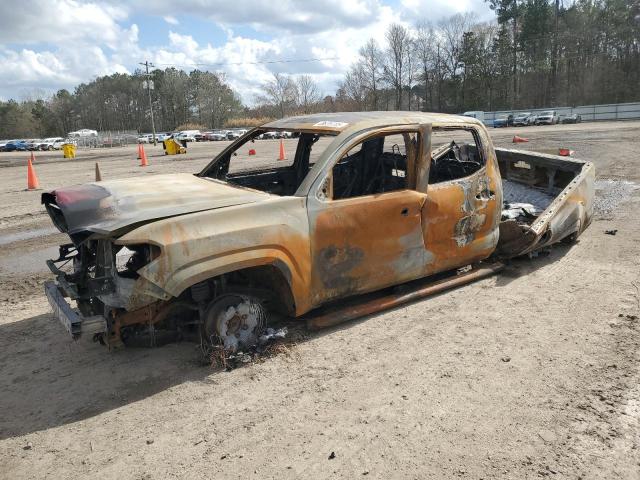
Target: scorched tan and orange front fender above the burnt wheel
{"x":207,"y":244}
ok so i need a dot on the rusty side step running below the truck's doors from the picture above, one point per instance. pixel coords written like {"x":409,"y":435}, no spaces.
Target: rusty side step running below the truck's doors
{"x":407,"y":293}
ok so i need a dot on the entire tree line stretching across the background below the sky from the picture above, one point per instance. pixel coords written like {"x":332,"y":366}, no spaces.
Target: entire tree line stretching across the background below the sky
{"x":538,"y":53}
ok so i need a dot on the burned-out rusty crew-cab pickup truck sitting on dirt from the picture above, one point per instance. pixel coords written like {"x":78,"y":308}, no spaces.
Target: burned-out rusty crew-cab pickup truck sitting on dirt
{"x":366,"y":202}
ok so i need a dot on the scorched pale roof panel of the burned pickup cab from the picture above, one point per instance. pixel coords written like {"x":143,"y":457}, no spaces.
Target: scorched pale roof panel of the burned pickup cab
{"x":339,"y":121}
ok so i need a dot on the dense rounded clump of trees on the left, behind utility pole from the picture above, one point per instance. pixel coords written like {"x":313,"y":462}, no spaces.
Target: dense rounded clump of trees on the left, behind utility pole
{"x":120,"y":102}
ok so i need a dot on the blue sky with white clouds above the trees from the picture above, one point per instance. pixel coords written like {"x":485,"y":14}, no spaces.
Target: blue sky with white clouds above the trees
{"x":85,"y":39}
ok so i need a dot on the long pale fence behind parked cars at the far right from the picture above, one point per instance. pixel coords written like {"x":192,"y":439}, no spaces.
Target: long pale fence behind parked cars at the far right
{"x":589,"y":113}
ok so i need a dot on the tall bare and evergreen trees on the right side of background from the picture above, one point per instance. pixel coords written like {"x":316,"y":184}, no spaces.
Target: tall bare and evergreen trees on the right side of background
{"x":539,"y":53}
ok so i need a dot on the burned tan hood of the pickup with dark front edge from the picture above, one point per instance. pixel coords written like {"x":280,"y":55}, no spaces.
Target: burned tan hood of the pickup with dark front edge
{"x":107,"y":207}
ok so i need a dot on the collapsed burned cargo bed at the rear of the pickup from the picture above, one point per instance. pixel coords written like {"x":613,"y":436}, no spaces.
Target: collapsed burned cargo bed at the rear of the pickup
{"x":546,"y":199}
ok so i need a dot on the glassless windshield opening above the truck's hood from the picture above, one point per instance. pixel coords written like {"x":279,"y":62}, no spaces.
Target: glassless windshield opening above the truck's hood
{"x":271,"y":161}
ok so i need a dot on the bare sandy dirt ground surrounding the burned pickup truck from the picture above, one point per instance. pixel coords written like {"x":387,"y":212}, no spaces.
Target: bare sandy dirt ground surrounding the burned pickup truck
{"x":532,"y":373}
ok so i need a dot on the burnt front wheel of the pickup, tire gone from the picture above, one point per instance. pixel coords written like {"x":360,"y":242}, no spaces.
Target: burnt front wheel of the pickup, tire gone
{"x":235,"y":319}
